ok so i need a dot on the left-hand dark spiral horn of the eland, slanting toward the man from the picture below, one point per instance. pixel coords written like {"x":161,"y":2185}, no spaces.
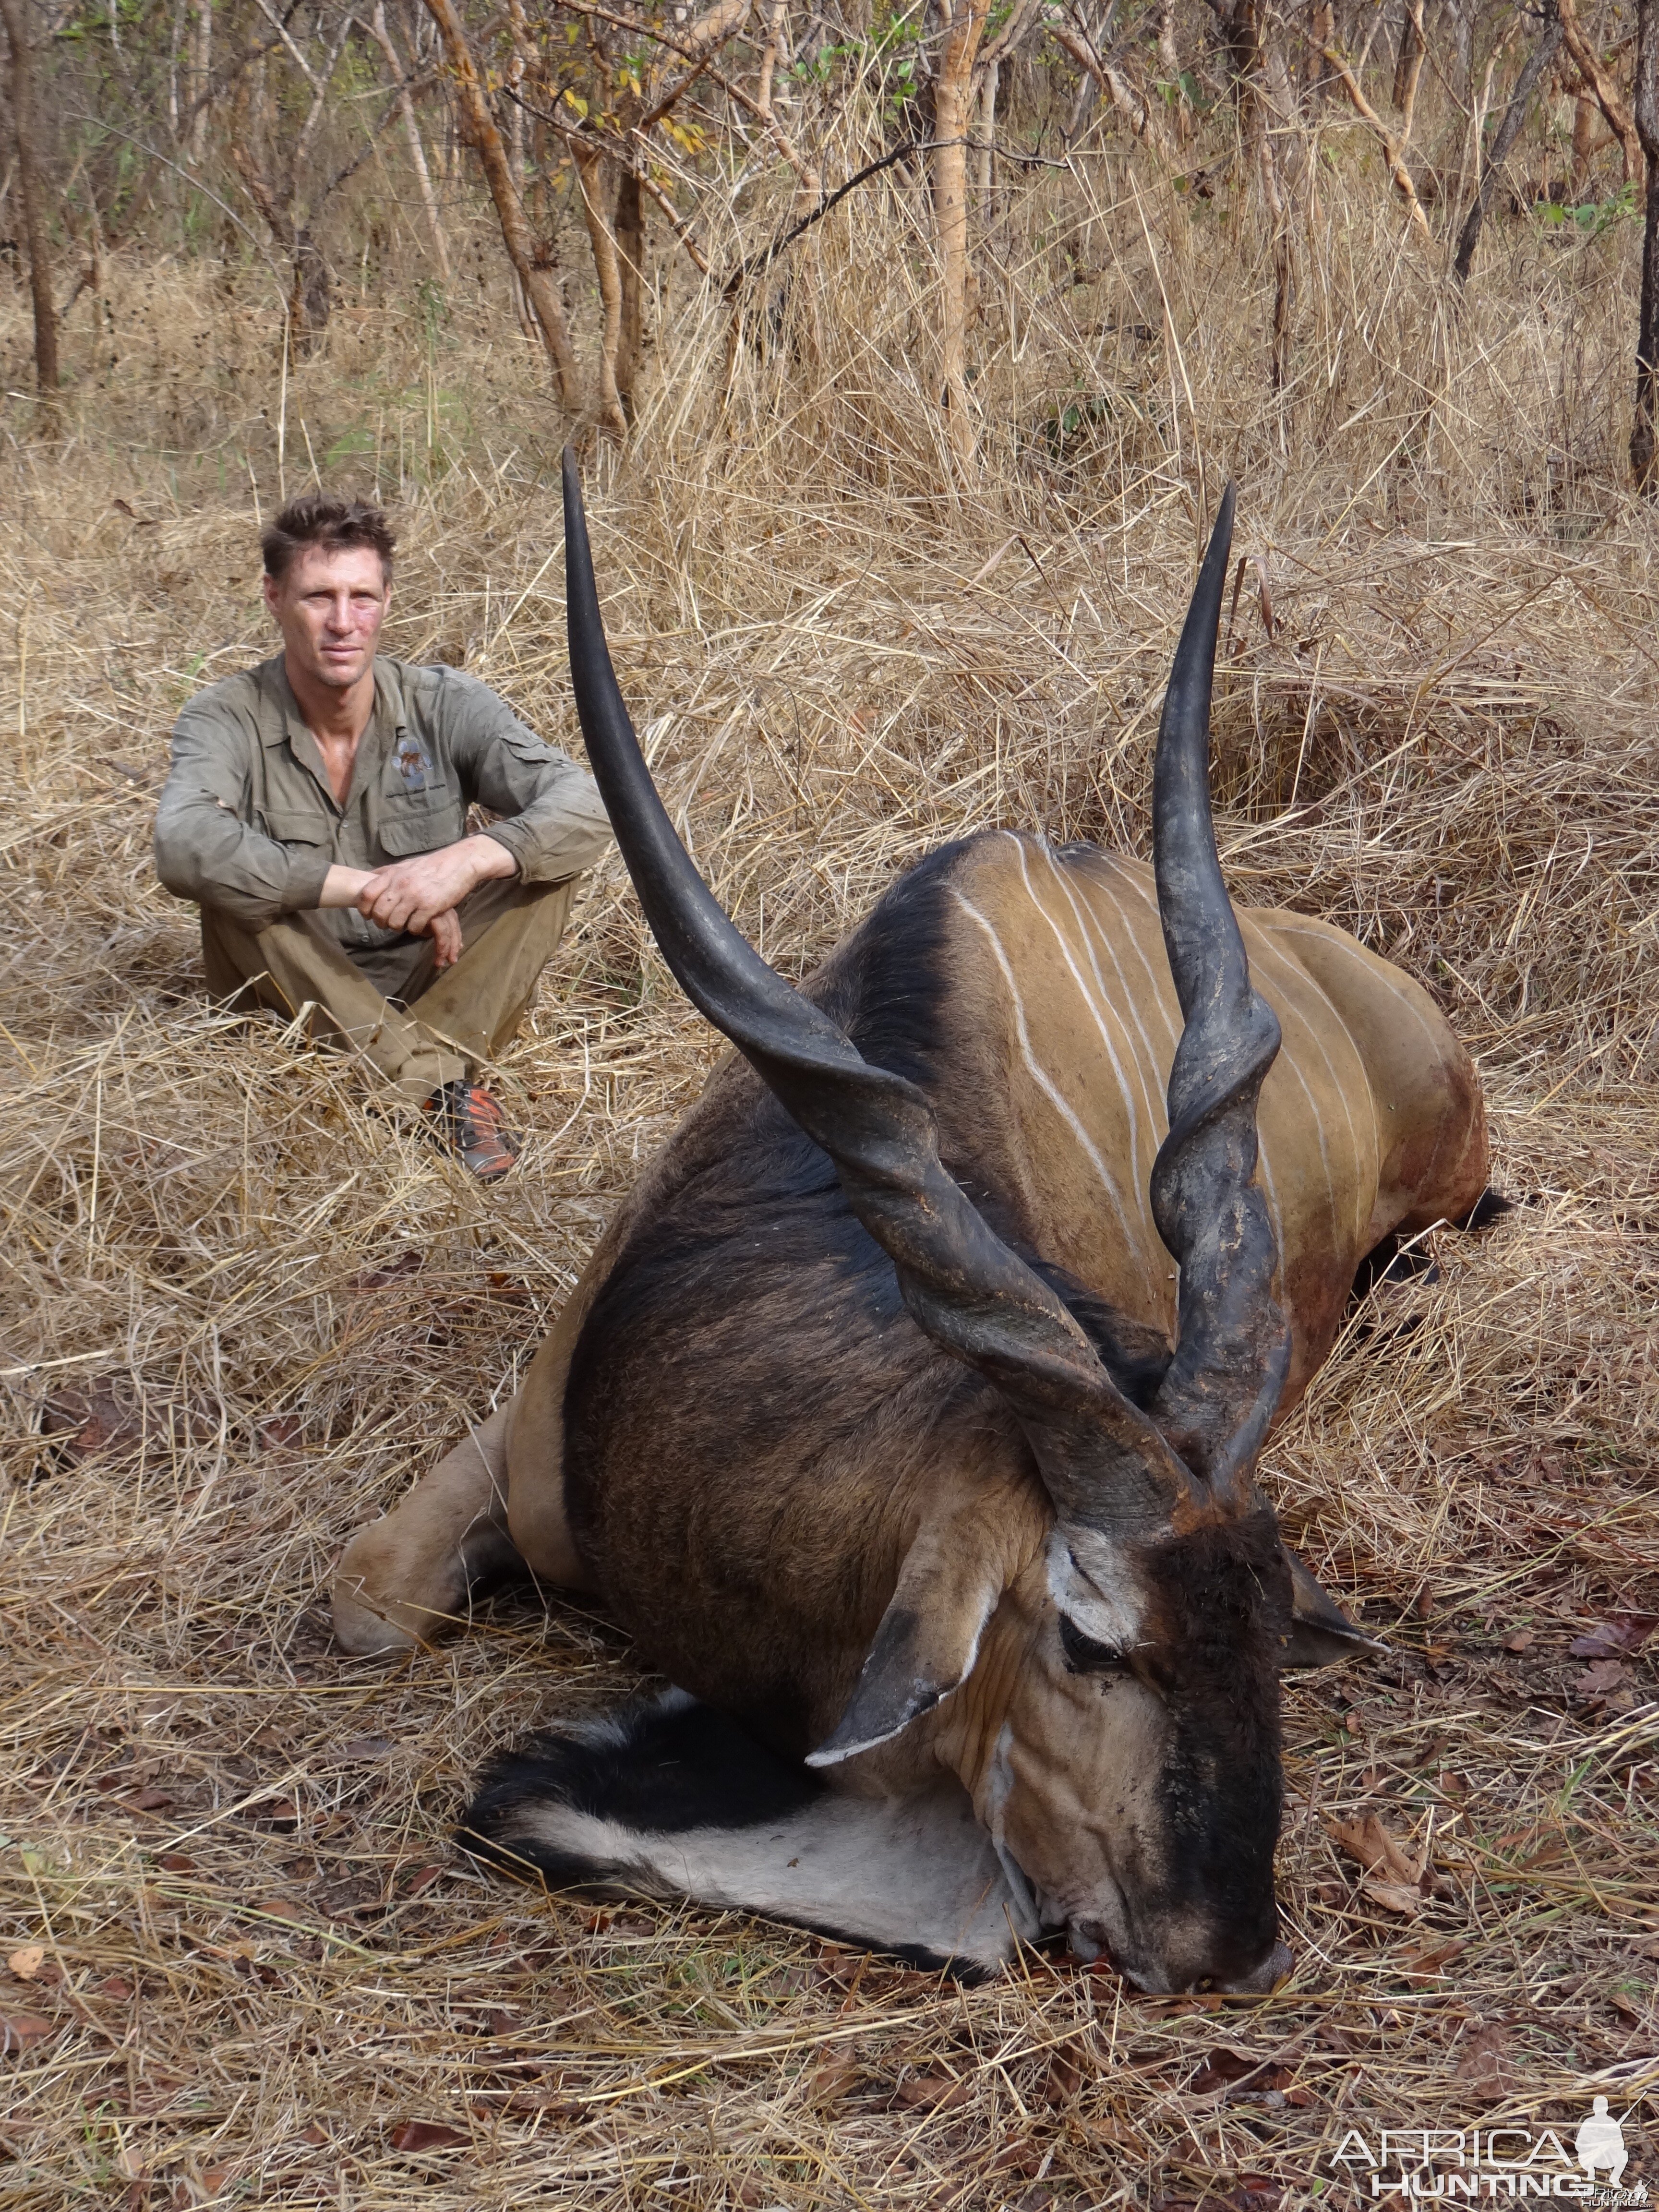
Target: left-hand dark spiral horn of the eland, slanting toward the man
{"x":1103,"y":1461}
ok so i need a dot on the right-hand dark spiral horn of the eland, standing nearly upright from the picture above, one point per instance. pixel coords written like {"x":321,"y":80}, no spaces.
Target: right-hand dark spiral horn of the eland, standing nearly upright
{"x":1233,"y":1348}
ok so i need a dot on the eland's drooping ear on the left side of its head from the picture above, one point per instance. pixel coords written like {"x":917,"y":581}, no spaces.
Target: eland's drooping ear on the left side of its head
{"x":930,"y":1636}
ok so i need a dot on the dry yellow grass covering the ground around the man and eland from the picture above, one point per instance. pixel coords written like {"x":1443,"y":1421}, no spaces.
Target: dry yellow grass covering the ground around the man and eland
{"x":260,"y":1957}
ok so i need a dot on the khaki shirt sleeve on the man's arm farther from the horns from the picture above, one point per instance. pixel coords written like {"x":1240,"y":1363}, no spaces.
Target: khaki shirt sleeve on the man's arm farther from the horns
{"x":205,"y":848}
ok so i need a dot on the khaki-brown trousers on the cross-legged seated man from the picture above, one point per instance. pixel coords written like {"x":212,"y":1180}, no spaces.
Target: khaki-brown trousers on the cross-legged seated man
{"x":419,"y":1027}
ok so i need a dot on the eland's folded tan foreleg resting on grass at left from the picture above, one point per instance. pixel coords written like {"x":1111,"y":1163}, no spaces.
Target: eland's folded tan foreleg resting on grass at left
{"x":406,"y":1578}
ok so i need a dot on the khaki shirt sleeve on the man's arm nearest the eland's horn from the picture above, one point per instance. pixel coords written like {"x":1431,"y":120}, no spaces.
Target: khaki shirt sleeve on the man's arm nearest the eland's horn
{"x":552,"y":817}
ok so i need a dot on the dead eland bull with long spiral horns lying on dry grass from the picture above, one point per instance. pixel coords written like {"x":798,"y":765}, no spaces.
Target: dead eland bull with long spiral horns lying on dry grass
{"x":908,"y":1412}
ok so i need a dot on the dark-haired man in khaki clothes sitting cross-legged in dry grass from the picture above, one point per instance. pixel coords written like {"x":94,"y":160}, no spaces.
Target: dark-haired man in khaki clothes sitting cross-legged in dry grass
{"x":317,"y":811}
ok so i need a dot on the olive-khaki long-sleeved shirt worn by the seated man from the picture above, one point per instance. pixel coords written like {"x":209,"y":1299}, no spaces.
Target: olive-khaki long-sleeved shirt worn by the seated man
{"x":251,"y":824}
